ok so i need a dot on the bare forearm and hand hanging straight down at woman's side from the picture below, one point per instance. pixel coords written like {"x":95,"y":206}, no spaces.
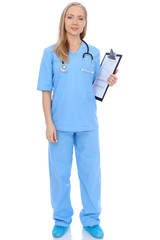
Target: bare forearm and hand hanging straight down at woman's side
{"x":50,"y":128}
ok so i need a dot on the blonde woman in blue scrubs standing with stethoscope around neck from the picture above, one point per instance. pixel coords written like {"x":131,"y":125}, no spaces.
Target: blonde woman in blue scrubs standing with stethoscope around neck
{"x":71,"y":120}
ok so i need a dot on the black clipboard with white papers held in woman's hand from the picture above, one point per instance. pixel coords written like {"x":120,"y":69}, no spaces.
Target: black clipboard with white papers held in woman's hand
{"x":108,"y":66}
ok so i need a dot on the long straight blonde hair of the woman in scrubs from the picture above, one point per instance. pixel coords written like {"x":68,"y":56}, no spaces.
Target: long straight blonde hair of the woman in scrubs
{"x":62,"y":46}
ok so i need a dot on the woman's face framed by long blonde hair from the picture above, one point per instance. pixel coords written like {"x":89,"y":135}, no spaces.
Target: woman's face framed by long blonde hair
{"x":75,"y":20}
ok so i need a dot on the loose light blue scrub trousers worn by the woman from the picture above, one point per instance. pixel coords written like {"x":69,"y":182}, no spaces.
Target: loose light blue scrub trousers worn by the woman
{"x":87,"y":153}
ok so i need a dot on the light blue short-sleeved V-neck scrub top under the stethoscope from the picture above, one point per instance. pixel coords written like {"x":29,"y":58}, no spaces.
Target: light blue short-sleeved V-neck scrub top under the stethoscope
{"x":73,"y":101}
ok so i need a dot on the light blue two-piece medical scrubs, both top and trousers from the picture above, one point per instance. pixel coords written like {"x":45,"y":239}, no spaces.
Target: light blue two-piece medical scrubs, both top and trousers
{"x":74,"y":114}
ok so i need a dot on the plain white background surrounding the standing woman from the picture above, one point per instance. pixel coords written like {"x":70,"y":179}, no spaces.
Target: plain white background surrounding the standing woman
{"x":128,"y":118}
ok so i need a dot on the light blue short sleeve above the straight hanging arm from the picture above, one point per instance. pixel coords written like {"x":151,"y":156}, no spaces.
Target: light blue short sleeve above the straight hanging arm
{"x":45,"y":78}
